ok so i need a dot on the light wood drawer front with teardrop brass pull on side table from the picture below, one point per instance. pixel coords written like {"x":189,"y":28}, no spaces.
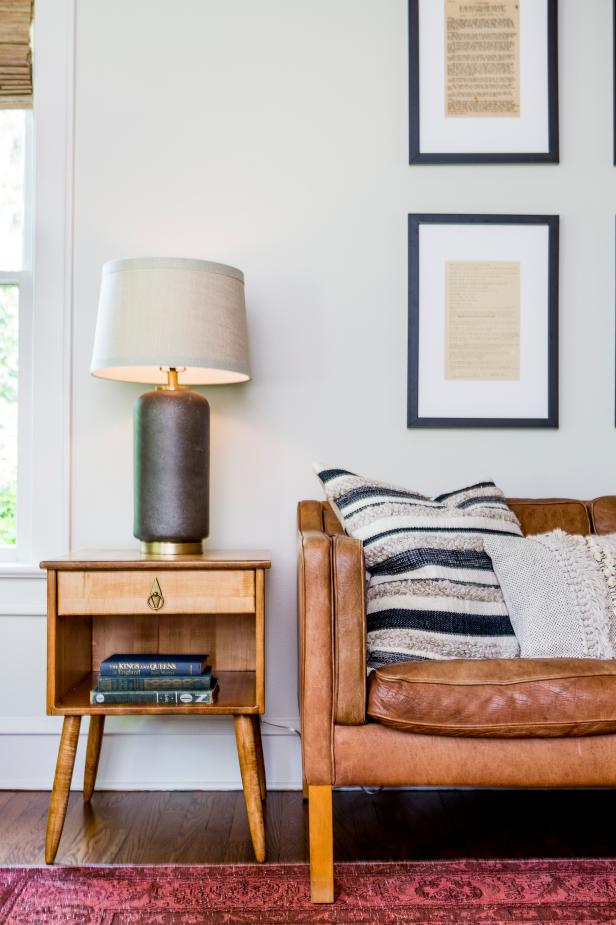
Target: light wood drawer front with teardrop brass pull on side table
{"x":164,"y":591}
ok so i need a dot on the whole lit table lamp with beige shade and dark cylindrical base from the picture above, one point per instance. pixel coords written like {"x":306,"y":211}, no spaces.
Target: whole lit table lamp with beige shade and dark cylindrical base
{"x":172,"y":322}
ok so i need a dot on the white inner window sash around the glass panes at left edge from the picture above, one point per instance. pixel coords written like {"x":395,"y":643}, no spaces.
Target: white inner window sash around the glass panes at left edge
{"x":22,"y":550}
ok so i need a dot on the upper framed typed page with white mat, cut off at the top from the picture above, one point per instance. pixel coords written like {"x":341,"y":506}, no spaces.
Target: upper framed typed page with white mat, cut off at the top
{"x":483,"y":81}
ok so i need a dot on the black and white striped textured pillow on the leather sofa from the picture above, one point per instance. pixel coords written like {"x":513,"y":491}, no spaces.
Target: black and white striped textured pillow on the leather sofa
{"x":432,"y":592}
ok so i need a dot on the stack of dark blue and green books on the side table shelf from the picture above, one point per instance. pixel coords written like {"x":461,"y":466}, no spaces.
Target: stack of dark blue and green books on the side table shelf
{"x":155,"y":679}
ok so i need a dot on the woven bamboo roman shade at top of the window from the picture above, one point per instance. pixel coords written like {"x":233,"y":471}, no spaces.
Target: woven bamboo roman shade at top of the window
{"x":15,"y":54}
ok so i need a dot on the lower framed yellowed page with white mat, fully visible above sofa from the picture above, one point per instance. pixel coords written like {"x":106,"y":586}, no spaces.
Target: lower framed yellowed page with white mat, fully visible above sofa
{"x":483,"y":321}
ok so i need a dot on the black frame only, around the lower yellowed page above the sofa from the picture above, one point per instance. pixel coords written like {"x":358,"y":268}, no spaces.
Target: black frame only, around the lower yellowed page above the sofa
{"x":413,"y":417}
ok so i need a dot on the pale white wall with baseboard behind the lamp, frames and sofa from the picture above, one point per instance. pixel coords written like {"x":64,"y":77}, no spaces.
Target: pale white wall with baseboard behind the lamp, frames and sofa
{"x":273,"y":135}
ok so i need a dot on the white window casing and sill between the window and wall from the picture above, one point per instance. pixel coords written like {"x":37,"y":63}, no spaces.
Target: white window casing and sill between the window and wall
{"x":45,"y":338}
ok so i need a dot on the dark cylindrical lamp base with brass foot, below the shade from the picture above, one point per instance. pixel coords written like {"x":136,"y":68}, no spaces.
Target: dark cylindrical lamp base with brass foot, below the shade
{"x":172,"y":442}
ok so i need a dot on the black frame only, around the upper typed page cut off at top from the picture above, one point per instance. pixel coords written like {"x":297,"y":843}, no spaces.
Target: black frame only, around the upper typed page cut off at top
{"x":551,"y":156}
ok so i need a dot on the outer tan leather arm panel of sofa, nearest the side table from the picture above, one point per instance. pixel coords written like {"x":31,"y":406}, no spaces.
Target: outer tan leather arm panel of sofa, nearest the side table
{"x":316,"y":644}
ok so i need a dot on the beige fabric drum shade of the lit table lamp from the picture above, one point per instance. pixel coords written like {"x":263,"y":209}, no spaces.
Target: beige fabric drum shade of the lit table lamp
{"x":161,"y":312}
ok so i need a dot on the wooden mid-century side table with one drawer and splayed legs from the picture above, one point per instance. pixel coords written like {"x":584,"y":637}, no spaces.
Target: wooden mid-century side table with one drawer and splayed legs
{"x":101,"y":603}
